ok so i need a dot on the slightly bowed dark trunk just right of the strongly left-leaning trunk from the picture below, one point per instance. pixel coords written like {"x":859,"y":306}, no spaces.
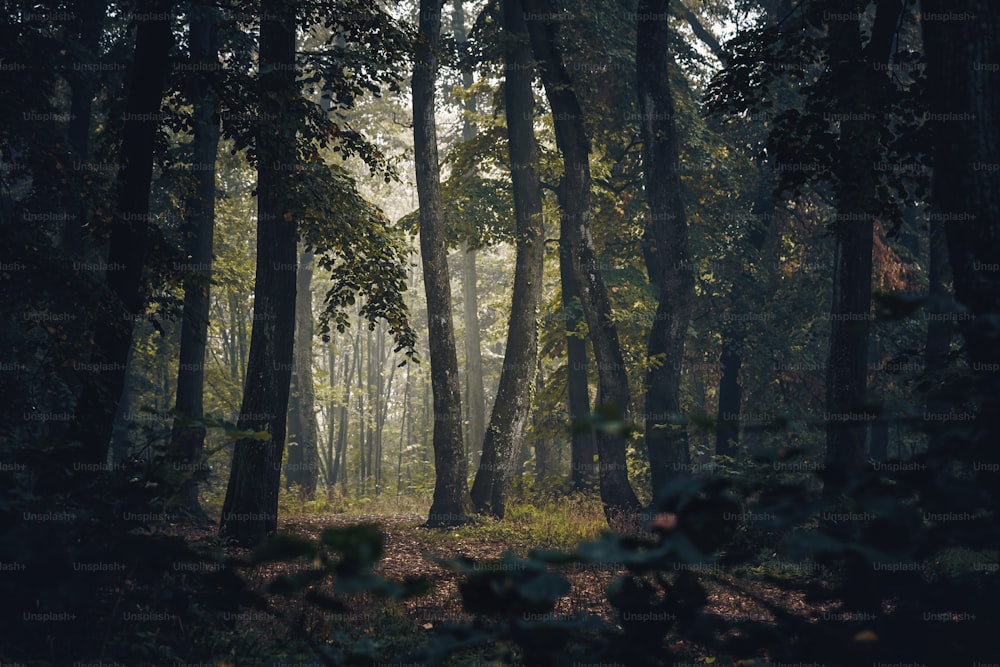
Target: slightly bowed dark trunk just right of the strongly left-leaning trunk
{"x":666,"y":434}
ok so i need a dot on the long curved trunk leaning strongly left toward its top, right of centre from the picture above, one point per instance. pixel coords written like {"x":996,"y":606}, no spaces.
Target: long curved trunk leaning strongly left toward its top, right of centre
{"x":613,"y":395}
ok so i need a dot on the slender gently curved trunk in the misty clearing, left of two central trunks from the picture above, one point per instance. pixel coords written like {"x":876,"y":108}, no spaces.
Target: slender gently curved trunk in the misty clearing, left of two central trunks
{"x":451,"y":501}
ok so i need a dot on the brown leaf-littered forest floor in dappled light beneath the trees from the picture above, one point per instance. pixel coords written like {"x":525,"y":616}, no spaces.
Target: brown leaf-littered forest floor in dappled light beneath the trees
{"x":414,"y":551}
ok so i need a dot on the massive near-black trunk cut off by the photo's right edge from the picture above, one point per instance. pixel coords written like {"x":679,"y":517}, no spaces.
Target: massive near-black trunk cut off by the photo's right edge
{"x":962,"y":81}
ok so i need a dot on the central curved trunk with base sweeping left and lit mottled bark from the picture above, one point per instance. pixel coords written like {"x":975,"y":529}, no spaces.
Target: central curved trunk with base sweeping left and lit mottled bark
{"x":504,"y":437}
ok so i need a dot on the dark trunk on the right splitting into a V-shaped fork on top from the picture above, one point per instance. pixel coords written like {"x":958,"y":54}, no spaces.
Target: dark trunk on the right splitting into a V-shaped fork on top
{"x":847,"y":370}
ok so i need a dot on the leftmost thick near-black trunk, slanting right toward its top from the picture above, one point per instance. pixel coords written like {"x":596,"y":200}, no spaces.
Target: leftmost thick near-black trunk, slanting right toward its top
{"x":95,"y":411}
